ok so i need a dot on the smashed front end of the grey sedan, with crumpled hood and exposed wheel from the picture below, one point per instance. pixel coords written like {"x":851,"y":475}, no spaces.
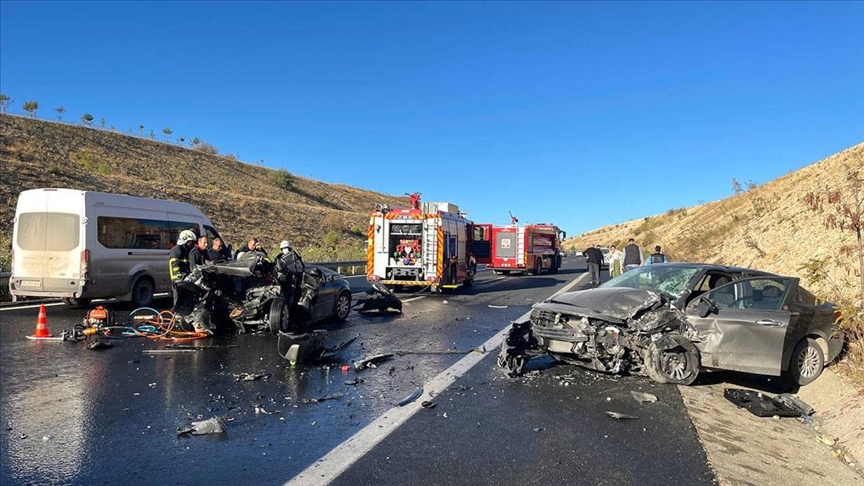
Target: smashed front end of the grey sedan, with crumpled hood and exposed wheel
{"x":639,"y":332}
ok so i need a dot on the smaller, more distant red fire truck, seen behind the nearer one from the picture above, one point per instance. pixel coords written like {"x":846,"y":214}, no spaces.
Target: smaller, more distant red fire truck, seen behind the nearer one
{"x":531,"y":248}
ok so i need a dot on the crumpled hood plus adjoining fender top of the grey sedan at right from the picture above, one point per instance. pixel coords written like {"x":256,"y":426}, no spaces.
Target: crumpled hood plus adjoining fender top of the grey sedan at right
{"x":641,"y":309}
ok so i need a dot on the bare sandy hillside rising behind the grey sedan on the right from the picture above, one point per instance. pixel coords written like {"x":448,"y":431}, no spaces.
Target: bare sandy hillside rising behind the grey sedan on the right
{"x":768,"y":227}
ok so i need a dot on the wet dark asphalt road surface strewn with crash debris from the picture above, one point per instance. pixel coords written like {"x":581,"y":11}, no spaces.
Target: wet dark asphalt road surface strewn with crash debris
{"x":76,"y":416}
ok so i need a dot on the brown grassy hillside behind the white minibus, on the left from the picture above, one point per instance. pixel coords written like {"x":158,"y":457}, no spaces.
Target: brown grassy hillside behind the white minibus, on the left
{"x":241,"y":199}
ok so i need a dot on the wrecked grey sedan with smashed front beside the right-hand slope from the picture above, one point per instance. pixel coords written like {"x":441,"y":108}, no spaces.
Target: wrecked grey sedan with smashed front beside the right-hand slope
{"x":667,"y":321}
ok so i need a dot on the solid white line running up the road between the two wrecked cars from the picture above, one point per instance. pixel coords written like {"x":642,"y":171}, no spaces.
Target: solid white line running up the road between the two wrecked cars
{"x":334,"y":463}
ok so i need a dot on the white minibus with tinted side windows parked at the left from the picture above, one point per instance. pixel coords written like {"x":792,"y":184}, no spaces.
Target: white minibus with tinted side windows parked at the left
{"x":84,"y":245}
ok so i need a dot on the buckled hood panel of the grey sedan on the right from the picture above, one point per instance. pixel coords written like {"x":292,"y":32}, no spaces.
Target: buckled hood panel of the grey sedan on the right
{"x":613,"y":303}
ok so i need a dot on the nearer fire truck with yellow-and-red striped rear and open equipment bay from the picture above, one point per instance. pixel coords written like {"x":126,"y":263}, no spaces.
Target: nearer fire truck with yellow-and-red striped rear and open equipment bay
{"x":427,"y":245}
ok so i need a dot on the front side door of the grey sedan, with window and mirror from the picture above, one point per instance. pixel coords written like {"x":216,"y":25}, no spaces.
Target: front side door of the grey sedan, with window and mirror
{"x":747,"y":328}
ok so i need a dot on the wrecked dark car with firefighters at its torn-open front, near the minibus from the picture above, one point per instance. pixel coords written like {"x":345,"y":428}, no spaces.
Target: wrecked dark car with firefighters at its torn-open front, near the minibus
{"x":249,"y":295}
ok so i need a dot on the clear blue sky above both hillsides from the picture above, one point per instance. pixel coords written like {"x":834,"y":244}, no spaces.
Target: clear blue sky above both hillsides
{"x":584,"y":114}
